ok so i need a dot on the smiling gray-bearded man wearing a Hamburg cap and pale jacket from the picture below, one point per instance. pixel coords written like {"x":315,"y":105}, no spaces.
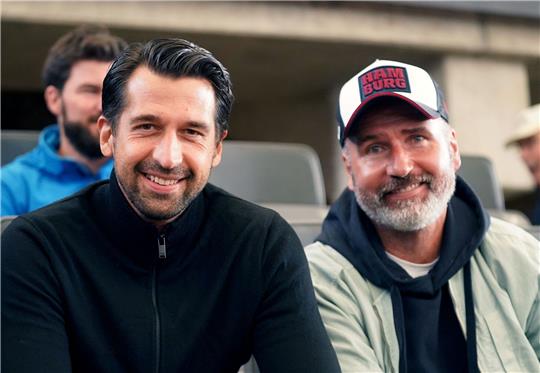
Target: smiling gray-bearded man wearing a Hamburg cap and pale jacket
{"x":410,"y":272}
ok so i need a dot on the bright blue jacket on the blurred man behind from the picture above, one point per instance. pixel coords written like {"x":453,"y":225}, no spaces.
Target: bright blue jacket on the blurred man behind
{"x":41,"y":176}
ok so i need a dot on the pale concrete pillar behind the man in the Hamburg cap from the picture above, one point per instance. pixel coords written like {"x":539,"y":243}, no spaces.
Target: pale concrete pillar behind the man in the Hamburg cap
{"x":484,"y":96}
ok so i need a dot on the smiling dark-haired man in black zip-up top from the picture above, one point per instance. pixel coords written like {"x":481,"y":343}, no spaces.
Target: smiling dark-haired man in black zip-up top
{"x":155,"y":270}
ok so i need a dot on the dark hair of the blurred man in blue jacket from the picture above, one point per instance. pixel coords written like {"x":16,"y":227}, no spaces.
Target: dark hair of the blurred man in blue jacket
{"x":86,"y":42}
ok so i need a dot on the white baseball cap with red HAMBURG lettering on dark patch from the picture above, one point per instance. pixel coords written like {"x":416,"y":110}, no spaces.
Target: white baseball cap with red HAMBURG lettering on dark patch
{"x":384,"y":78}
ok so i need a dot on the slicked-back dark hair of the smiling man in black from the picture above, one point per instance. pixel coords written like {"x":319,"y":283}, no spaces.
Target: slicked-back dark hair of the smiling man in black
{"x":169,"y":57}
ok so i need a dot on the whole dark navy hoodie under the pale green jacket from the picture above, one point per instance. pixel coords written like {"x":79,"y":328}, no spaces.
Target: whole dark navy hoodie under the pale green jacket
{"x":349,"y":231}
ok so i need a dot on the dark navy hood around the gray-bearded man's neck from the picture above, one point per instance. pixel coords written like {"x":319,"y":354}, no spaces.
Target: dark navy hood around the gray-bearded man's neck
{"x":349,"y":231}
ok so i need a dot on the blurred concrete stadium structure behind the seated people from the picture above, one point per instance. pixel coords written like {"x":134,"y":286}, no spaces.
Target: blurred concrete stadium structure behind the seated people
{"x":289,"y":59}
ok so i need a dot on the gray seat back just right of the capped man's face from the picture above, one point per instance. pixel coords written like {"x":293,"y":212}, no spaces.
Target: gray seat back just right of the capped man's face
{"x":479,"y":173}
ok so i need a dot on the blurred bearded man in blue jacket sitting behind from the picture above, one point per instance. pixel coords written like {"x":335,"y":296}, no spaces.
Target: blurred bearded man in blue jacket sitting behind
{"x":68,"y":156}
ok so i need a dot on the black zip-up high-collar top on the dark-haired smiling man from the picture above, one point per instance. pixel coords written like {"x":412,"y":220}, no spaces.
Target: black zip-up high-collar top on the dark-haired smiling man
{"x":88,"y":286}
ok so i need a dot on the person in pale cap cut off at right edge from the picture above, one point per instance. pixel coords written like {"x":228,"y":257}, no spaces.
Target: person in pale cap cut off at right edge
{"x":527,"y":138}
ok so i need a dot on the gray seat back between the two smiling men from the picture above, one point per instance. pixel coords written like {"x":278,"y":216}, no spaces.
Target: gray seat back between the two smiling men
{"x":265,"y":172}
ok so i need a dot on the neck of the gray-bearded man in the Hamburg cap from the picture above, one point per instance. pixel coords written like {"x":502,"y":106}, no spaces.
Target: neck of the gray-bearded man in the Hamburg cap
{"x":420,"y":246}
